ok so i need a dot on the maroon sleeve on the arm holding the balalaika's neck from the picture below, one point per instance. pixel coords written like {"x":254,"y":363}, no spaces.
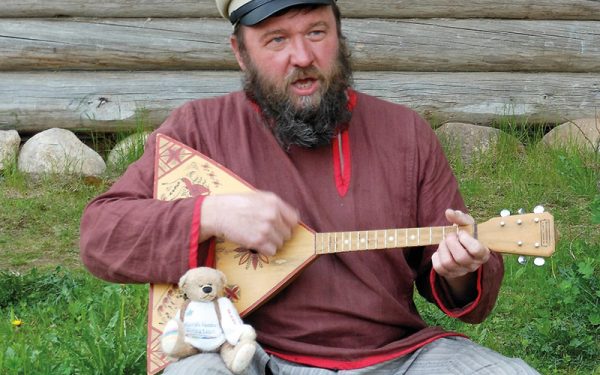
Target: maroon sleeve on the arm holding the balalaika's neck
{"x":438,"y":190}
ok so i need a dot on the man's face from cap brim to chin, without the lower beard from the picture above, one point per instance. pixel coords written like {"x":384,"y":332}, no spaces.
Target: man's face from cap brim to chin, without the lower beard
{"x":294,"y":54}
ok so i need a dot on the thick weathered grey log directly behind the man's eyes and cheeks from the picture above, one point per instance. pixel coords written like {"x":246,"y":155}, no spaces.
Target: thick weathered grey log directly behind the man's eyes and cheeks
{"x":401,"y":45}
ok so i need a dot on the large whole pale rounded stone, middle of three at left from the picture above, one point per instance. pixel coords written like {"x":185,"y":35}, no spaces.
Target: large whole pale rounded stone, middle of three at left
{"x":59,"y":151}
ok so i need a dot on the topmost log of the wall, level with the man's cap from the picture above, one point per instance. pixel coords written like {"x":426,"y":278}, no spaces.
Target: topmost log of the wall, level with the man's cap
{"x":517,"y":9}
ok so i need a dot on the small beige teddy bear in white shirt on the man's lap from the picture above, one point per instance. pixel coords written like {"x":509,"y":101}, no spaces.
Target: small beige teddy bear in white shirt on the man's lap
{"x":208,"y":322}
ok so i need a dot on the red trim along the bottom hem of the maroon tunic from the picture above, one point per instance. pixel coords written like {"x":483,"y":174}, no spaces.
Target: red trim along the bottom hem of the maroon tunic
{"x":360,"y":363}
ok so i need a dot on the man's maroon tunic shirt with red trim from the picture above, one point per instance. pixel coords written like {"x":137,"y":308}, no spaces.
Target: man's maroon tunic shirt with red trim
{"x":346,"y":310}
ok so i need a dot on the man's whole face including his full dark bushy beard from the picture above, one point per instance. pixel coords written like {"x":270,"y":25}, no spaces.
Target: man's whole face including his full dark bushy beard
{"x":297,"y":70}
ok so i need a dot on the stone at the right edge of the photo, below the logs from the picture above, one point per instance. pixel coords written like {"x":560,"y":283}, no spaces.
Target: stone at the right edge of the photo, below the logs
{"x":583,"y":133}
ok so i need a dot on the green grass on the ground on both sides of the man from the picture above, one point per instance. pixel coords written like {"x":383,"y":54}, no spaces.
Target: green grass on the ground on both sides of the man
{"x":72,"y":323}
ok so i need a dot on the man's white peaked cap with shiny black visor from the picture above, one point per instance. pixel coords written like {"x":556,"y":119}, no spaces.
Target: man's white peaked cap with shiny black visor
{"x":251,"y":12}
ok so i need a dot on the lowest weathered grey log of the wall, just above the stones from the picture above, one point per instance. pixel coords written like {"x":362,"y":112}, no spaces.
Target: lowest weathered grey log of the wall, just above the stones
{"x":106,"y":101}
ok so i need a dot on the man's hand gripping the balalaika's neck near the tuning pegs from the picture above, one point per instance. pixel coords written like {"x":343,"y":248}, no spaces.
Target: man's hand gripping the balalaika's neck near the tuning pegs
{"x":458,"y":256}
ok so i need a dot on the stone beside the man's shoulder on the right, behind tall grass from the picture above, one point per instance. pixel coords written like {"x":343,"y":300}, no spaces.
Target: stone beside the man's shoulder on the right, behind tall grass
{"x":468,"y":138}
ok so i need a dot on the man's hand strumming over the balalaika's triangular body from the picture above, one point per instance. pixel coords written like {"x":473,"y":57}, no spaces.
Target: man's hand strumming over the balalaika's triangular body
{"x":259,"y":221}
